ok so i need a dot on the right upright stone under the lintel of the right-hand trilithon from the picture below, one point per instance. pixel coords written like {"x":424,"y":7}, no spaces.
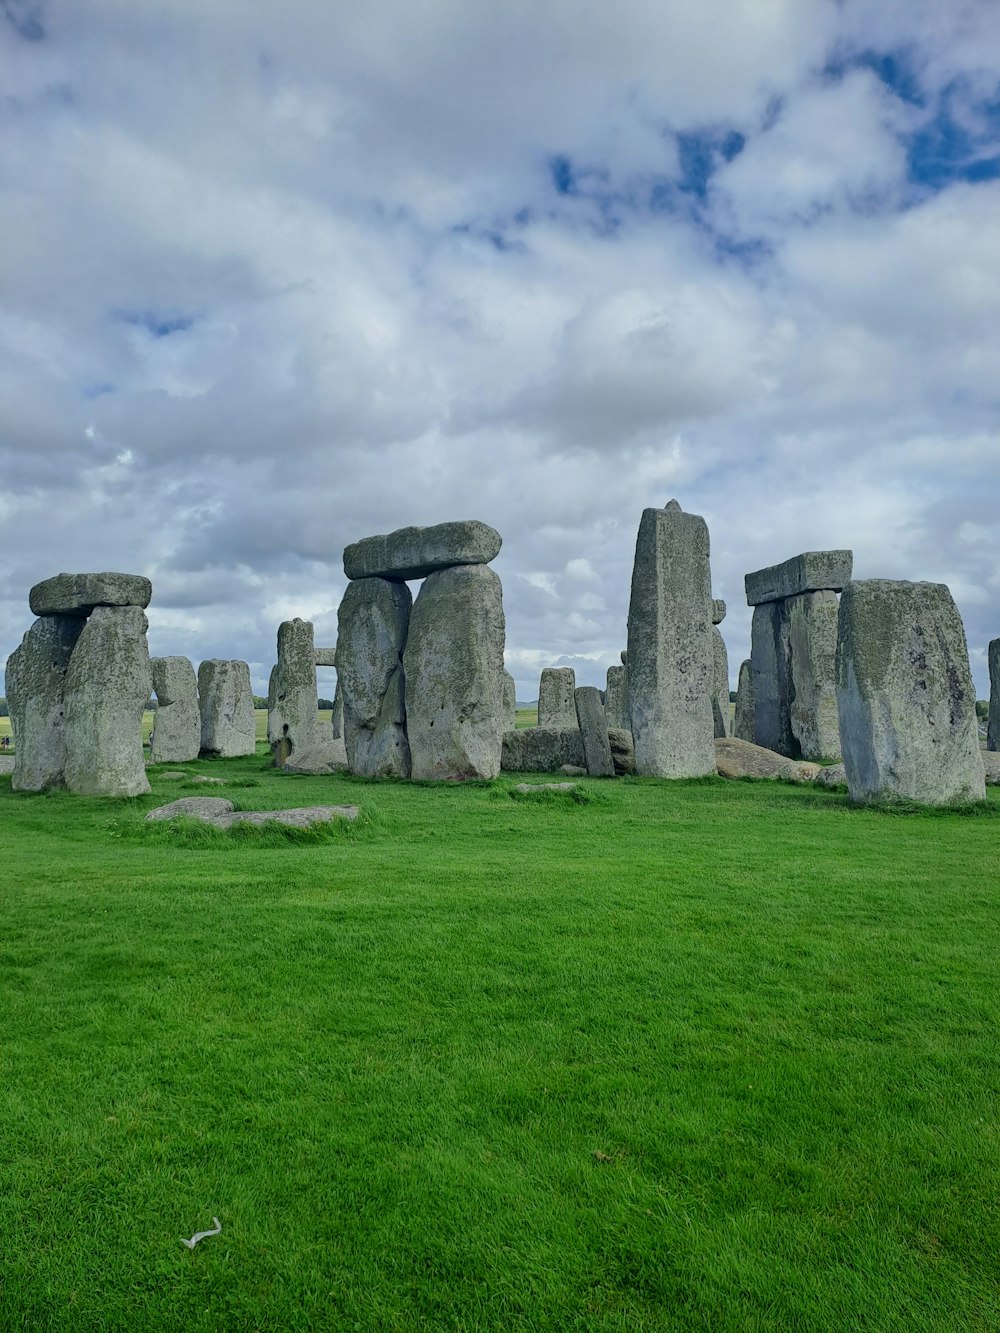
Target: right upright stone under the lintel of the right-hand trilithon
{"x":813,"y":641}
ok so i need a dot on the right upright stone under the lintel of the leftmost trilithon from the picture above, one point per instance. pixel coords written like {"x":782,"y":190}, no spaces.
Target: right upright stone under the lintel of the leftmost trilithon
{"x":107,"y":688}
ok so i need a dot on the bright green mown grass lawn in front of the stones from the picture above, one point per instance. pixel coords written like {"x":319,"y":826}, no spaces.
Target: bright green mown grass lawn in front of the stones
{"x":674,"y":1056}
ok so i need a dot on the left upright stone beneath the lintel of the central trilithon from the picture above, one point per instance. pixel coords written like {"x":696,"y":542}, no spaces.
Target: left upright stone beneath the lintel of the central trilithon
{"x":374,"y":623}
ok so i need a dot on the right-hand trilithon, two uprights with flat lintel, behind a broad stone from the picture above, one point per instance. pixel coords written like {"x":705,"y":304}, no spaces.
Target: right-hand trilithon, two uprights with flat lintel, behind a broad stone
{"x":794,"y":641}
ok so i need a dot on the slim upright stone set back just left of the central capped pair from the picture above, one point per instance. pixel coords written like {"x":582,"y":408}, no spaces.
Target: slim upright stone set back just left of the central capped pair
{"x":298,"y":742}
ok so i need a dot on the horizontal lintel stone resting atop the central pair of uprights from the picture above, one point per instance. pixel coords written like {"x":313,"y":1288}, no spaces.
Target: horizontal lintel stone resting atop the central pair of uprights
{"x":417,"y":553}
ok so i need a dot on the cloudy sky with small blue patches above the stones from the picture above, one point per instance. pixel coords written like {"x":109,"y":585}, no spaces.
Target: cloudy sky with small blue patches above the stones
{"x":278,"y":277}
